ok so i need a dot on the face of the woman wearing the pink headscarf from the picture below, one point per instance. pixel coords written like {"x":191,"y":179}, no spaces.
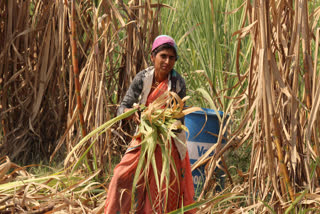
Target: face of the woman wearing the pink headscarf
{"x":163,"y":62}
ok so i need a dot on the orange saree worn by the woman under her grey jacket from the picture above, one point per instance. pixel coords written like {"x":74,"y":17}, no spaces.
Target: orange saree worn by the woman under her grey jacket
{"x":119,"y":193}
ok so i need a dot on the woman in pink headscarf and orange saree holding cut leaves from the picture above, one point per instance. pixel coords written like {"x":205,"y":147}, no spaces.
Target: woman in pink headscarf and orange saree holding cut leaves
{"x":144,"y":89}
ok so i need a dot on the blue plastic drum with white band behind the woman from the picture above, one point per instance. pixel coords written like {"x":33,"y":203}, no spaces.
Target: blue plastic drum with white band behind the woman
{"x":199,"y":144}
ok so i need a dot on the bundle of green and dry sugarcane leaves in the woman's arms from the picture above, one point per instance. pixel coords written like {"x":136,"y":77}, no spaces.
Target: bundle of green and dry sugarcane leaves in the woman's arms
{"x":159,"y":126}
